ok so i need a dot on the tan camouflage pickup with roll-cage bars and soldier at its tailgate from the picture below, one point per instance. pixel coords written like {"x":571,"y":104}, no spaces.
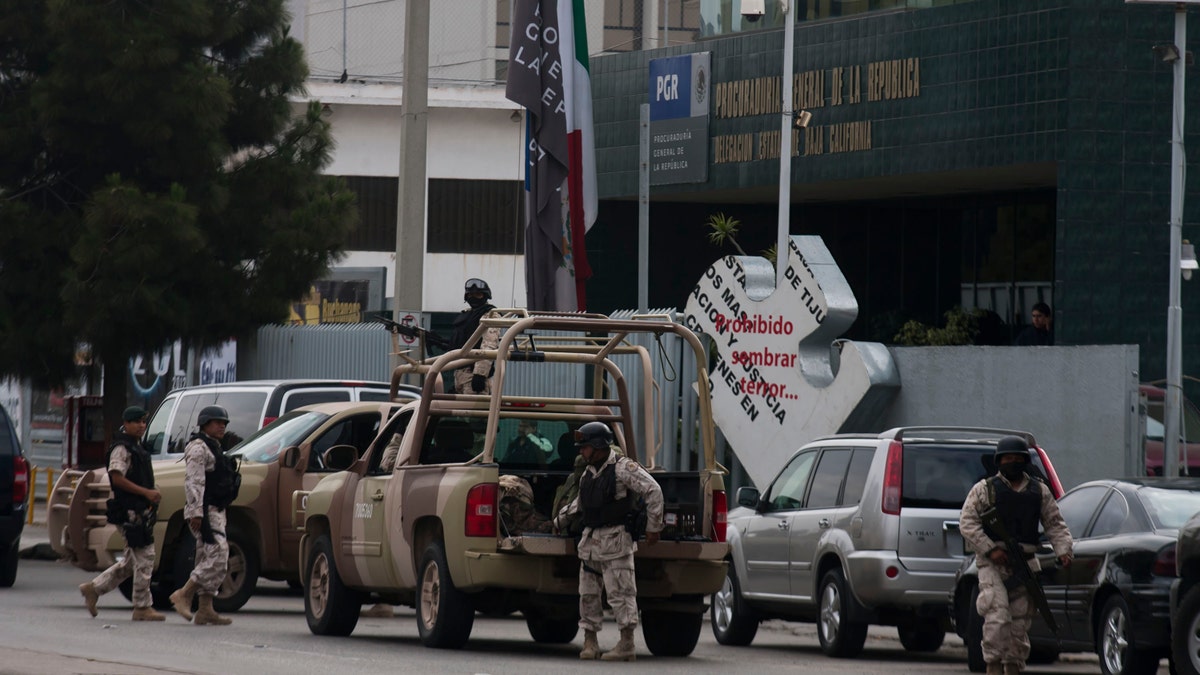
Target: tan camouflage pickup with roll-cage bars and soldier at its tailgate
{"x":436,"y":533}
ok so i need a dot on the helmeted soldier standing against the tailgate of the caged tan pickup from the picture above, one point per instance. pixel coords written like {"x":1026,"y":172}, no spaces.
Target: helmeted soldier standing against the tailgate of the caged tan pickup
{"x":608,"y":489}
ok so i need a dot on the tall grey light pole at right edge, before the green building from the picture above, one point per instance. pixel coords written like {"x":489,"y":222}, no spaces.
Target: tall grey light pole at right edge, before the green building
{"x":1174,"y":312}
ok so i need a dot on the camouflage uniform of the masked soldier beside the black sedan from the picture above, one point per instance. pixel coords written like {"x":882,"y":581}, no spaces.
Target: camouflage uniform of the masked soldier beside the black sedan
{"x":1007,"y":614}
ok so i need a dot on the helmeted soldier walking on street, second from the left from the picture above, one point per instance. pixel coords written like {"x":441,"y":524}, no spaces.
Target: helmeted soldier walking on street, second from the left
{"x":211,"y":483}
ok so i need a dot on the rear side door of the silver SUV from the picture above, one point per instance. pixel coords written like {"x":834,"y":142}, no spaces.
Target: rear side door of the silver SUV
{"x":821,"y":513}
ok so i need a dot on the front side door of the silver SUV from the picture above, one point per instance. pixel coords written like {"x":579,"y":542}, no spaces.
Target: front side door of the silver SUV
{"x":766,"y":542}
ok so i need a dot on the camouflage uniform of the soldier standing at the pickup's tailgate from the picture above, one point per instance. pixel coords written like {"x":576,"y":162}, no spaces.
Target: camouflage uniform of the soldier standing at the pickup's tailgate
{"x":607,"y":554}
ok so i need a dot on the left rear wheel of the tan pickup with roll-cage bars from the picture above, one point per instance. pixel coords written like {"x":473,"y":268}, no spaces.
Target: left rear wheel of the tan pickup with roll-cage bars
{"x":445,"y":614}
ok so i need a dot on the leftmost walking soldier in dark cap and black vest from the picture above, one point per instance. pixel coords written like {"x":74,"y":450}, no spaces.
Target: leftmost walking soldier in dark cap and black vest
{"x":133,"y":480}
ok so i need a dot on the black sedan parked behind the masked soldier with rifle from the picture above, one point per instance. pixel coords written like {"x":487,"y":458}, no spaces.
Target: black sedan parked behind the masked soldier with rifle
{"x":1114,"y":599}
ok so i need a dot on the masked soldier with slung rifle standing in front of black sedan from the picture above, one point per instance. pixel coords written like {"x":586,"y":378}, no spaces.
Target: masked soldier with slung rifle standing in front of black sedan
{"x":1023,"y":501}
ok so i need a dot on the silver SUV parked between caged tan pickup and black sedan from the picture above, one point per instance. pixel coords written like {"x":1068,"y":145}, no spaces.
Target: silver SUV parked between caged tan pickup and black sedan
{"x":859,"y":530}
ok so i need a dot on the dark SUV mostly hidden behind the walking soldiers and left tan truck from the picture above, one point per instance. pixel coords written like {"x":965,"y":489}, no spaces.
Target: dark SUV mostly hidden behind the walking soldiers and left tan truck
{"x":251,"y":405}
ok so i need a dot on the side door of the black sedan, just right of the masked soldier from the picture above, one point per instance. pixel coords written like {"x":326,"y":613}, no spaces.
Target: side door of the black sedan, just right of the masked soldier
{"x":1069,"y":588}
